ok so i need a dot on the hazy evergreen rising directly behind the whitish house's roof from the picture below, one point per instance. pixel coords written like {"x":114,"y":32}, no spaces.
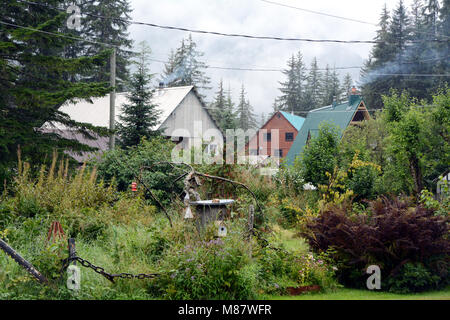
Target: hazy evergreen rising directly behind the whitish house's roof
{"x":184,"y":67}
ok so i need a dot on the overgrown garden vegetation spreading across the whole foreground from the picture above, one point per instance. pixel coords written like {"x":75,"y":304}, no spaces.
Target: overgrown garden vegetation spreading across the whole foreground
{"x":367,"y":209}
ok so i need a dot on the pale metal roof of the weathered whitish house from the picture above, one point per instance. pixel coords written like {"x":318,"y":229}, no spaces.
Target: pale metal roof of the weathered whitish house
{"x":97,"y":113}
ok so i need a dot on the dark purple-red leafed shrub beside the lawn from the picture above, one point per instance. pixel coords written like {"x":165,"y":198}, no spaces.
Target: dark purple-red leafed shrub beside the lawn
{"x":392,"y":235}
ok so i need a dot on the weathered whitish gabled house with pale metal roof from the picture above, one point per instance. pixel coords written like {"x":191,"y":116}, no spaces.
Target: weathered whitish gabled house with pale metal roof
{"x":184,"y":119}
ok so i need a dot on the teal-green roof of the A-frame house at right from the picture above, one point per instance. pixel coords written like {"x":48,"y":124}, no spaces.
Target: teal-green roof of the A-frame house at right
{"x":339,"y":115}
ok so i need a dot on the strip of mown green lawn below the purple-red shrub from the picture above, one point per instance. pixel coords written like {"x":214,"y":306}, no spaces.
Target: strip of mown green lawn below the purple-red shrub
{"x":354,"y":294}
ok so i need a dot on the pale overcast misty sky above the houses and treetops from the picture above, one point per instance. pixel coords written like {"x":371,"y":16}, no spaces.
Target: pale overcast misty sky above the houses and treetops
{"x":256,"y":17}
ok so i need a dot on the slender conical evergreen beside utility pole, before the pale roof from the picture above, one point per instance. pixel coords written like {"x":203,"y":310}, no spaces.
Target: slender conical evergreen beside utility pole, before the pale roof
{"x":140,"y":115}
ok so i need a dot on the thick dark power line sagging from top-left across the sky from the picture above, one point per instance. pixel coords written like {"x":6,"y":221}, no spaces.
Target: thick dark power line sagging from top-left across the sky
{"x":154,"y":25}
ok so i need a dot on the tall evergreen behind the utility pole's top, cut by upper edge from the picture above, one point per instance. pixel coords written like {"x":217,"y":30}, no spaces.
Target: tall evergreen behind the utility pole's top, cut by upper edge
{"x":113,"y":31}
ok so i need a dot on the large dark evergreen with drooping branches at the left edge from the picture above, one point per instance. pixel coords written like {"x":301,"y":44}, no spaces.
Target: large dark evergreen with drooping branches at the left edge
{"x":34,"y":84}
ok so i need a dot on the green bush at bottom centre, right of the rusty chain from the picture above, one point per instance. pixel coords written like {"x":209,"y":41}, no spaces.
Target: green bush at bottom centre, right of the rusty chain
{"x":206,"y":270}
